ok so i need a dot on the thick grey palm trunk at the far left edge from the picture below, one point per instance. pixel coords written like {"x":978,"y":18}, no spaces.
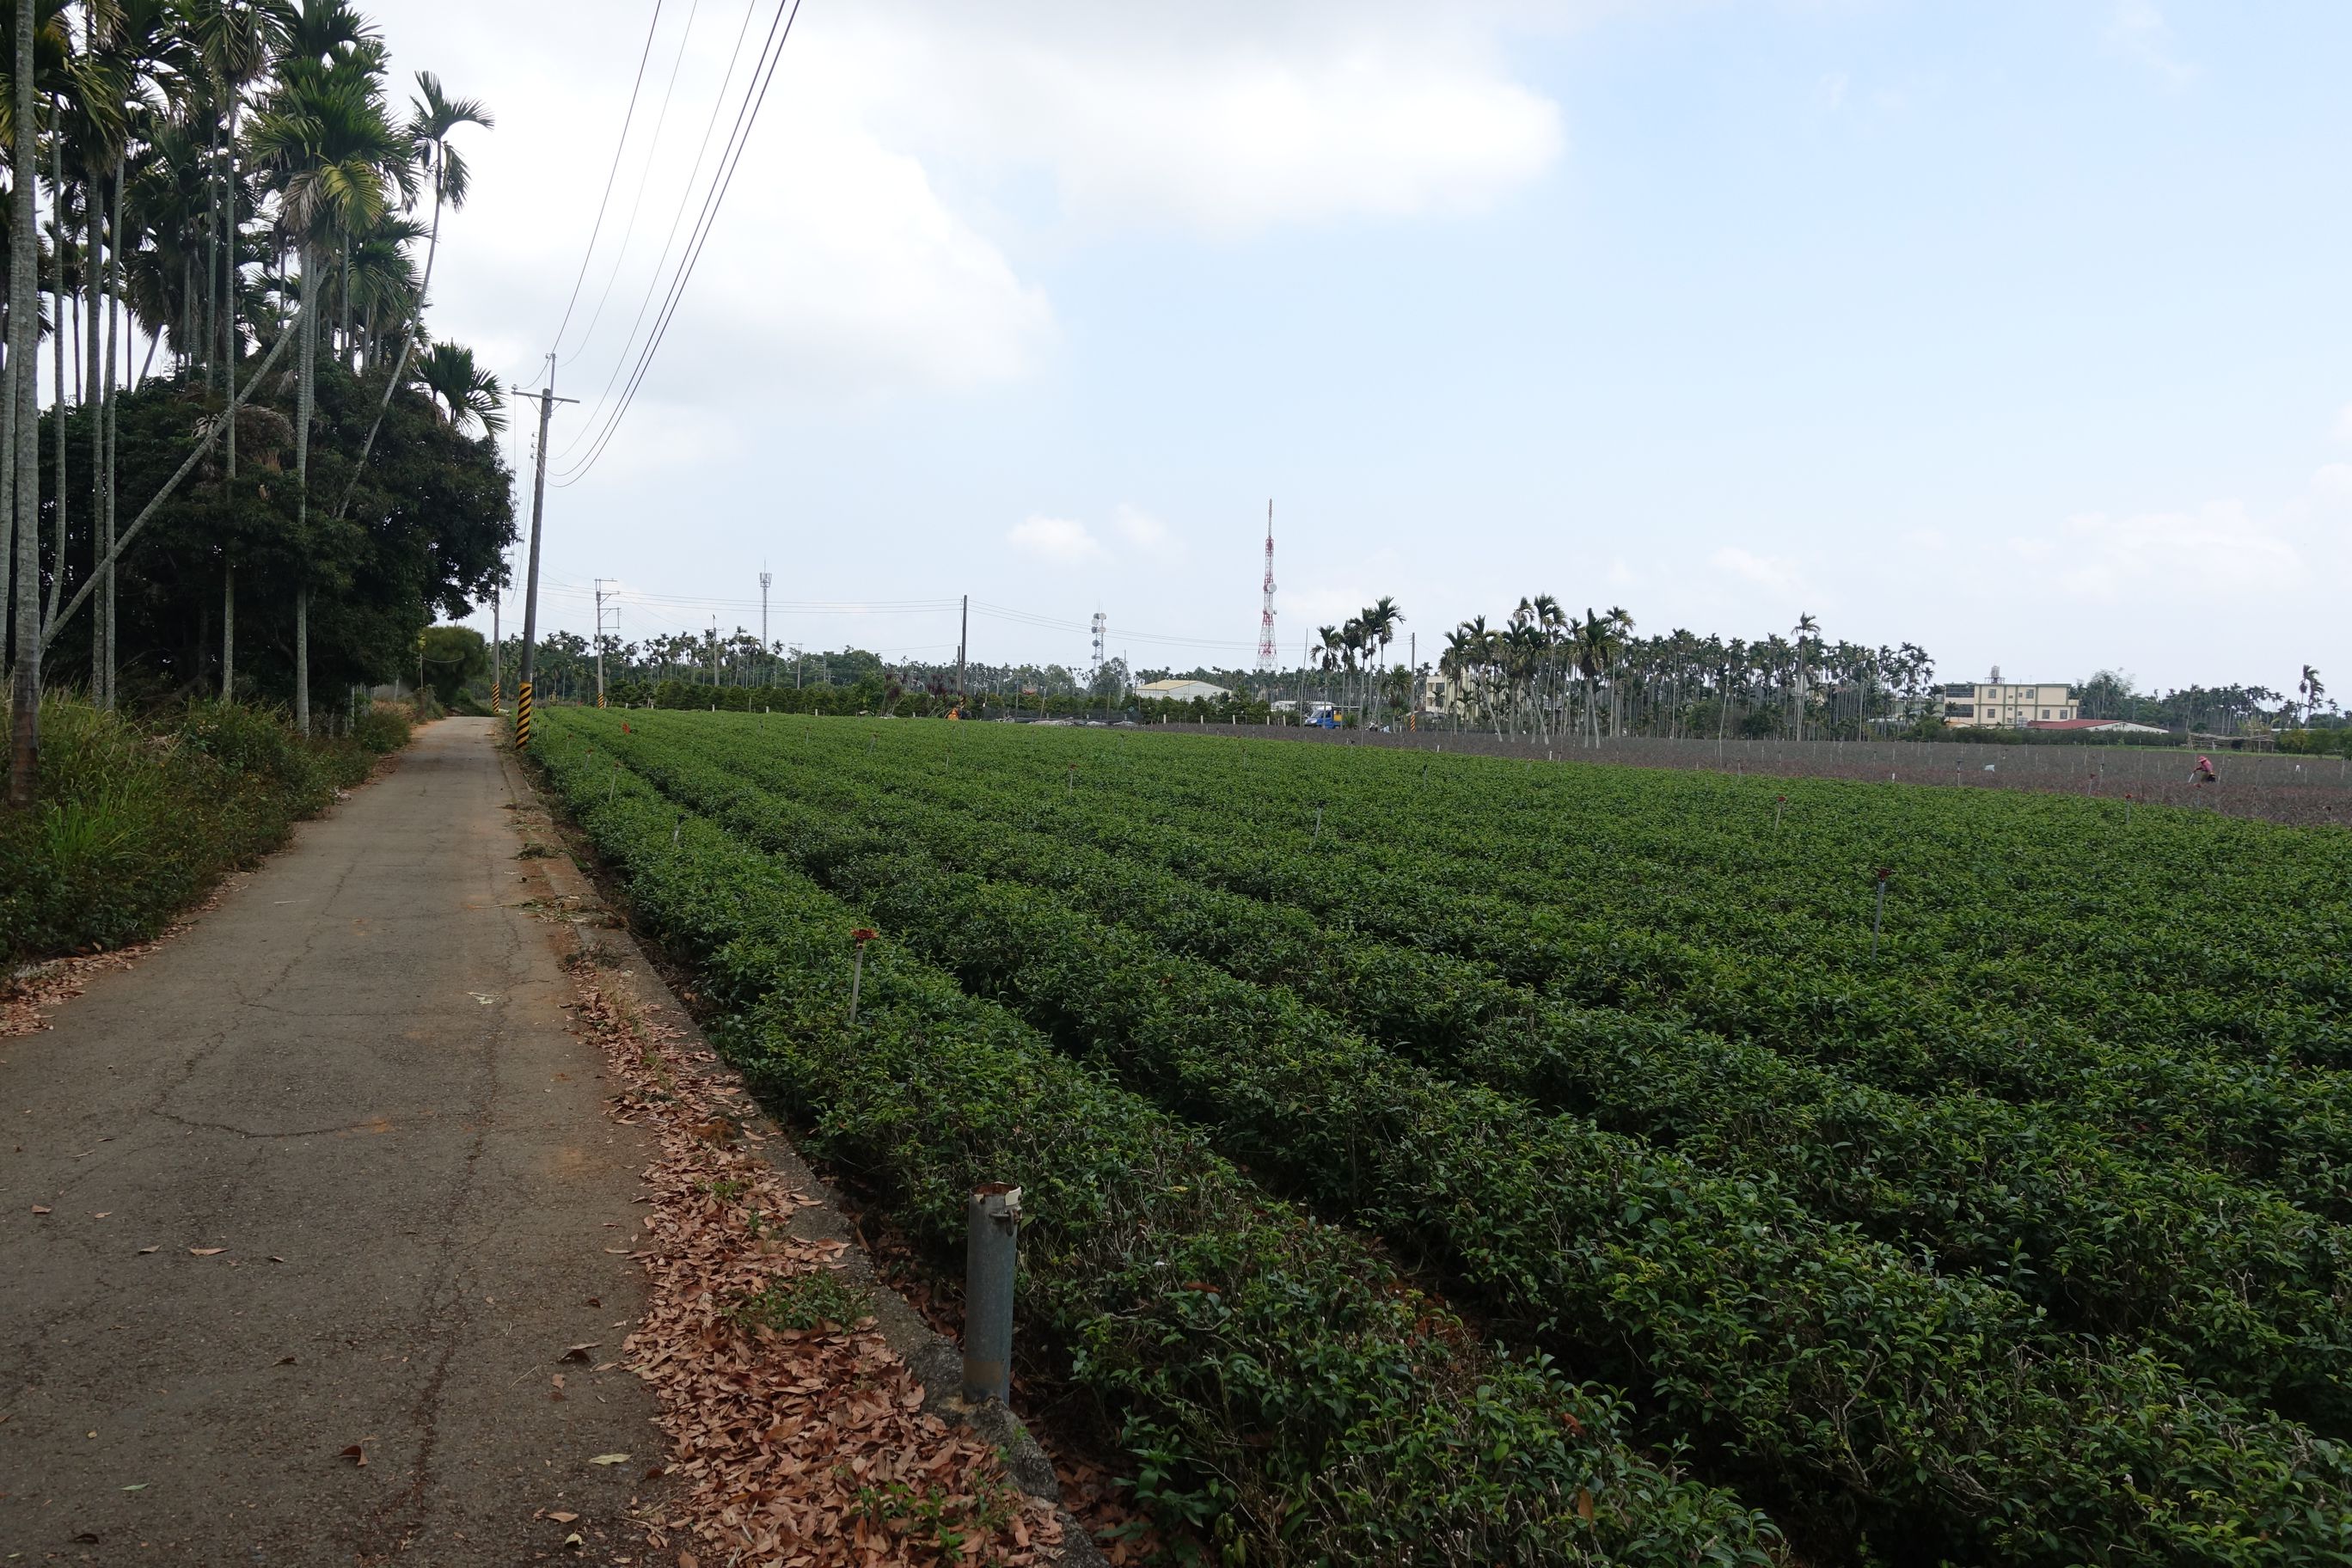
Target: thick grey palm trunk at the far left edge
{"x":22,"y":349}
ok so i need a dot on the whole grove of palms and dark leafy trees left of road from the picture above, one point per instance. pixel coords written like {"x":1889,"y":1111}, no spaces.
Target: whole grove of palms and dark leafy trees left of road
{"x":239,"y":467}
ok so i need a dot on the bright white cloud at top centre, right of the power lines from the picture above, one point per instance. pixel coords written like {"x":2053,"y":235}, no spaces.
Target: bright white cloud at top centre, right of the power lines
{"x":1220,"y":116}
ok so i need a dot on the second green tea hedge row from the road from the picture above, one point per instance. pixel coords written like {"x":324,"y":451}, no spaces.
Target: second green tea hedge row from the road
{"x":1812,"y":1365}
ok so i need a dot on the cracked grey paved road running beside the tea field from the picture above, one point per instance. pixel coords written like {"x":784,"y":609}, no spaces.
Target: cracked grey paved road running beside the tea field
{"x":352,"y":1080}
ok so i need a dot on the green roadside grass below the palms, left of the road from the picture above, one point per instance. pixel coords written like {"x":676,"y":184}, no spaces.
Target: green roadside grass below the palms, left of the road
{"x":140,"y":817}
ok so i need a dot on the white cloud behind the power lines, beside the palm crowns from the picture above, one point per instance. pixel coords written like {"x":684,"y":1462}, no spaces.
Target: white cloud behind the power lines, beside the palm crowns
{"x":836,"y":267}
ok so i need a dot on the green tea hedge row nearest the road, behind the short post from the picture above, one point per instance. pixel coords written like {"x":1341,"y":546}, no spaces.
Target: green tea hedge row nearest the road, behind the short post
{"x":1285,"y":1393}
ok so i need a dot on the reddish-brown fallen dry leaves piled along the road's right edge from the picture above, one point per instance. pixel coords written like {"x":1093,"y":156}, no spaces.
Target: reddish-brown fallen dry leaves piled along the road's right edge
{"x":789,"y":1447}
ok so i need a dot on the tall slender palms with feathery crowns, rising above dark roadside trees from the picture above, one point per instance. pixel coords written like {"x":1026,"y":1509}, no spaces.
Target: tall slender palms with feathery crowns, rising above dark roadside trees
{"x":211,"y":175}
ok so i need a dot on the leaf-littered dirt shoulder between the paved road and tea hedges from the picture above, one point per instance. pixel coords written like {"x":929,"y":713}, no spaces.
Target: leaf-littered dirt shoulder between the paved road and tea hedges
{"x":791,"y":1430}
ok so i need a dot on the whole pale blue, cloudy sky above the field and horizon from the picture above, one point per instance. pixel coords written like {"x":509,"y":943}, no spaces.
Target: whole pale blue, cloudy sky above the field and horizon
{"x":2007,"y":328}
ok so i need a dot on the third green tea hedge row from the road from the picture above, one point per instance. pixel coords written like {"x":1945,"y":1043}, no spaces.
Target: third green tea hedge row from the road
{"x":2238,"y":1285}
